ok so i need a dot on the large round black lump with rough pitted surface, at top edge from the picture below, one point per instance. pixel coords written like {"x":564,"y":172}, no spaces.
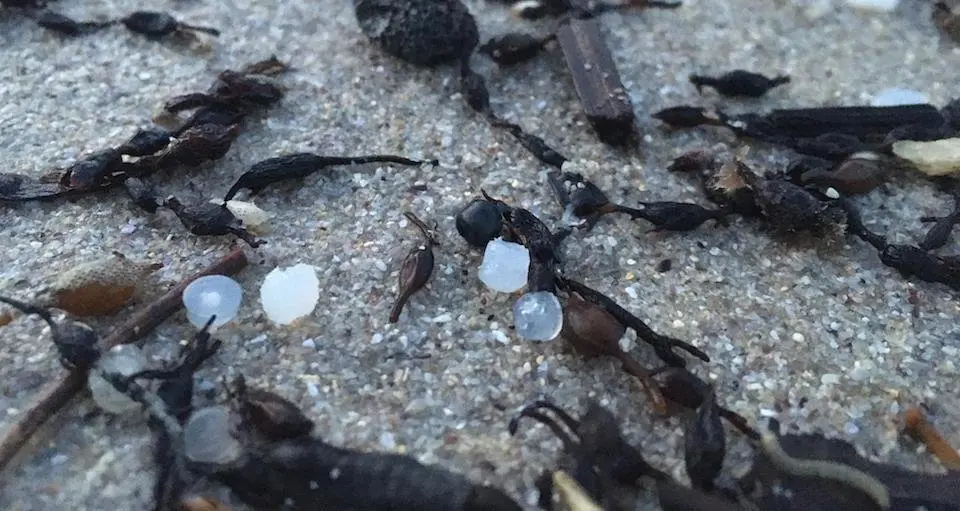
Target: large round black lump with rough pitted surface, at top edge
{"x":421,"y":32}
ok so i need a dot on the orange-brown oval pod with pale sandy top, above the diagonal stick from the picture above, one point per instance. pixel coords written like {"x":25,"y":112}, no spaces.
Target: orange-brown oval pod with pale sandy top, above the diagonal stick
{"x":101,"y":287}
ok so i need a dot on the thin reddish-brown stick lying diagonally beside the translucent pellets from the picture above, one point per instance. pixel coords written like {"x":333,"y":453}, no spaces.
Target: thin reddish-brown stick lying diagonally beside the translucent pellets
{"x":56,"y":394}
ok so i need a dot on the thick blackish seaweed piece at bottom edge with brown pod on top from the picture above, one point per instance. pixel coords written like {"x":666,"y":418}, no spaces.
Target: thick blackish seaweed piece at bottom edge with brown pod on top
{"x":282,"y":466}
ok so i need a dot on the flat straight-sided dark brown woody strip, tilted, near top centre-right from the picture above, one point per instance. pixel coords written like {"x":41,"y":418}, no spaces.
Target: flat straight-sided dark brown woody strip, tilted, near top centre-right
{"x":597,"y":81}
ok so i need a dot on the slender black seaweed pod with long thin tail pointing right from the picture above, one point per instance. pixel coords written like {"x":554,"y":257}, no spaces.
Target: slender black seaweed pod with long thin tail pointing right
{"x":300,"y":165}
